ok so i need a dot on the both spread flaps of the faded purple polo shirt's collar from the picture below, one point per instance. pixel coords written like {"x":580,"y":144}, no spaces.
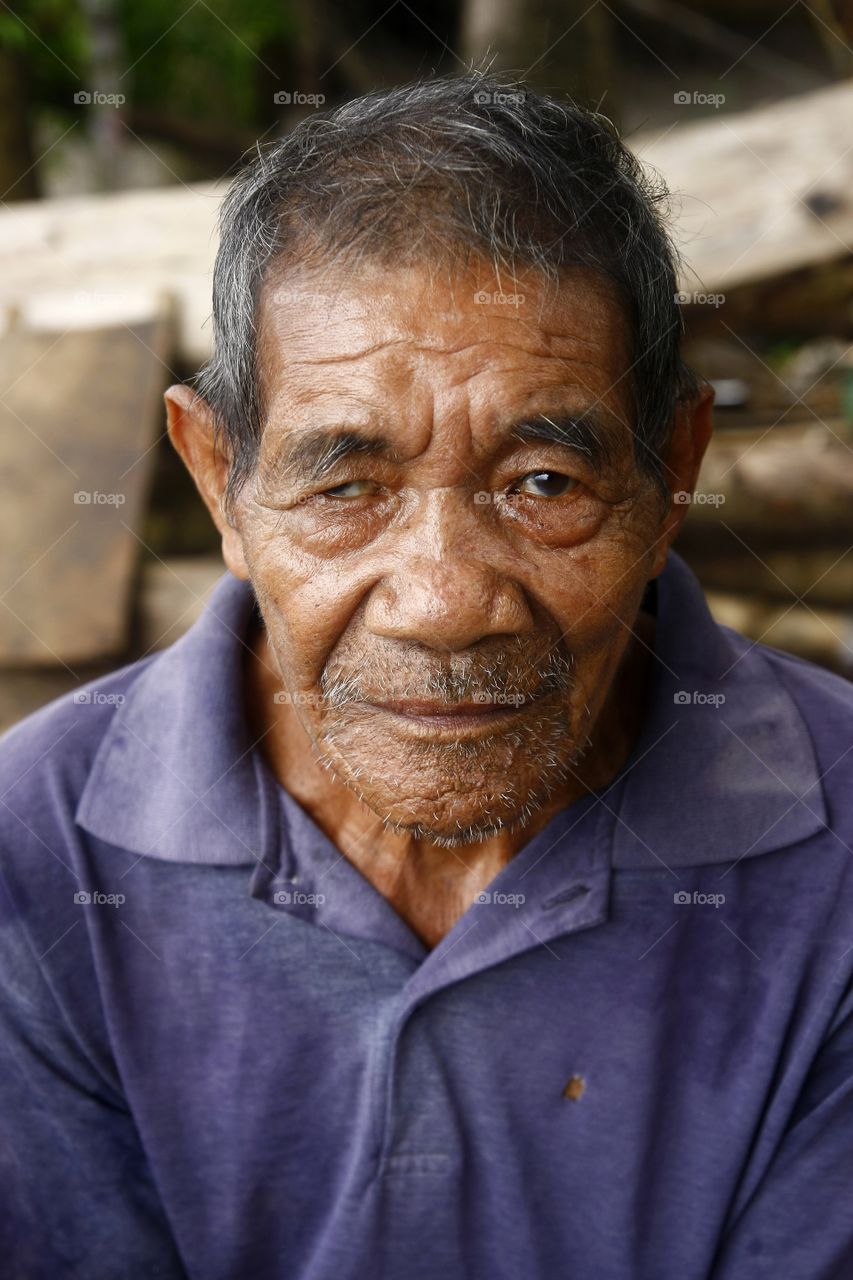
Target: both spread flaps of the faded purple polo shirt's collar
{"x":724,"y":767}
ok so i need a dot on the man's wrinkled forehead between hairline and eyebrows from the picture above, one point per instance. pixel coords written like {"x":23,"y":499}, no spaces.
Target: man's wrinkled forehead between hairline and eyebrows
{"x":382,"y":333}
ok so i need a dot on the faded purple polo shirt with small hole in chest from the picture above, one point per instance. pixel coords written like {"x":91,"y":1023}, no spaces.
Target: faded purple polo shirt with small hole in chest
{"x":632,"y":1060}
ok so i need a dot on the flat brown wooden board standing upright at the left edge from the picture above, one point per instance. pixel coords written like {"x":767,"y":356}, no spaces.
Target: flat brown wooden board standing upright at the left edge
{"x":80,"y":415}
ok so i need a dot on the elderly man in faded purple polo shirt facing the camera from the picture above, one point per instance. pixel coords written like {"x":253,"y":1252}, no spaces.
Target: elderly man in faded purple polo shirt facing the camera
{"x":455,"y":899}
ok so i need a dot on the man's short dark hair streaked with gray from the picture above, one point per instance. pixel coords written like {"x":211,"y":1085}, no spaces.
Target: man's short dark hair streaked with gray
{"x":471,"y":164}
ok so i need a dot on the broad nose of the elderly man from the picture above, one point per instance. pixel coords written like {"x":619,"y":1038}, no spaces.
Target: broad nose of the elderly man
{"x":444,"y":595}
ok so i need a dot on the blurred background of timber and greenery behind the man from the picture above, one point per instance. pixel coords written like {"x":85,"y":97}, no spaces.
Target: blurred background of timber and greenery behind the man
{"x":121,"y":122}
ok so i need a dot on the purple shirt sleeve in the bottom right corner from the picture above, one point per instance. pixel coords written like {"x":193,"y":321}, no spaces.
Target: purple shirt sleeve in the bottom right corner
{"x":799,"y":1223}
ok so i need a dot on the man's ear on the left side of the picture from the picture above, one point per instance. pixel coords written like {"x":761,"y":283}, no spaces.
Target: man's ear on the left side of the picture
{"x":191,"y":431}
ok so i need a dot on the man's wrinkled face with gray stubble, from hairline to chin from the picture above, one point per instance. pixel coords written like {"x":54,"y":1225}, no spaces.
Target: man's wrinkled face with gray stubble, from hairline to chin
{"x":448,"y":592}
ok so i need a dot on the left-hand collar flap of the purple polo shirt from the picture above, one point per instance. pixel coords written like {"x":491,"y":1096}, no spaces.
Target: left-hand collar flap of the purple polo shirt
{"x":176,"y":775}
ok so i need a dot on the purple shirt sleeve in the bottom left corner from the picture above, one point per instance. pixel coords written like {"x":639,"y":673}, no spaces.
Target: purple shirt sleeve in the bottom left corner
{"x":77,"y":1199}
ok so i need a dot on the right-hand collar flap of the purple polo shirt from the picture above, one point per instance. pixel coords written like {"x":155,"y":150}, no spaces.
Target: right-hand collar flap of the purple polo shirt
{"x":726,"y":767}
